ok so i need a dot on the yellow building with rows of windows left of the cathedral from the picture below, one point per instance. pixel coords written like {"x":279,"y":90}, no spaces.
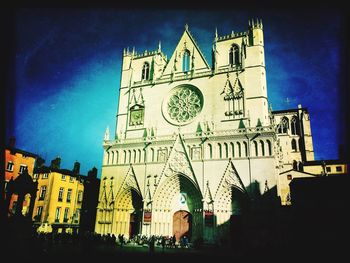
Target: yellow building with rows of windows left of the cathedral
{"x":59,"y":199}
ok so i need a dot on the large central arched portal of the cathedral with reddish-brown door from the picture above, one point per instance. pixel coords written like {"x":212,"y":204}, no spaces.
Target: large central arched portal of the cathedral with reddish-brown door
{"x":177,"y":196}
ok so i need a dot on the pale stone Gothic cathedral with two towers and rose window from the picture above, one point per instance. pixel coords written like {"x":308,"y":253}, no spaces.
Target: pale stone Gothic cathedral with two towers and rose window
{"x":196,"y":144}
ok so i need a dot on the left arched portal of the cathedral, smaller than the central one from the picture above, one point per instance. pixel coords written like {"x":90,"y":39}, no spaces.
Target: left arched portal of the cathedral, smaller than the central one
{"x":129,"y":213}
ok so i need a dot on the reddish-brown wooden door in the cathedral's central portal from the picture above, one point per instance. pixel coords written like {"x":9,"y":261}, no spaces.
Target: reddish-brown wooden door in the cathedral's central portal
{"x":182,"y":224}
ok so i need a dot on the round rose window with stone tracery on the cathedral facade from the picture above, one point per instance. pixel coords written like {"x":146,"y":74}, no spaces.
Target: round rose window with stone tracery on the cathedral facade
{"x":183,"y":104}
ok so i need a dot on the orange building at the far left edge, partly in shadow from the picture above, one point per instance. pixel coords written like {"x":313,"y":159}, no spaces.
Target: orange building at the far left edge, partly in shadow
{"x":16,"y":161}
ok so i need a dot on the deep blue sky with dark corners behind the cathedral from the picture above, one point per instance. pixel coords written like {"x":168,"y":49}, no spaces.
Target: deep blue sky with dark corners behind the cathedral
{"x":66,"y":70}
